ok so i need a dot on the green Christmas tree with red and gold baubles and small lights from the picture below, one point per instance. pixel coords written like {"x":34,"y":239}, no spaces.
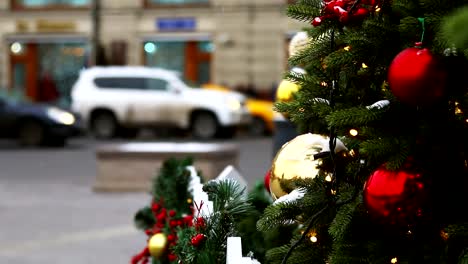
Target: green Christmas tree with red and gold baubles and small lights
{"x":380,"y":172}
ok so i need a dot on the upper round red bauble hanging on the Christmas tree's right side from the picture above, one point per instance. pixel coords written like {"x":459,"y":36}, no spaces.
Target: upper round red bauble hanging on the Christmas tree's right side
{"x":416,"y":77}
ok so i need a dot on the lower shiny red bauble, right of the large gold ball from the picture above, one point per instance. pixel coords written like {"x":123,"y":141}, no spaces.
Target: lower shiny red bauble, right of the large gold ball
{"x":395,"y":197}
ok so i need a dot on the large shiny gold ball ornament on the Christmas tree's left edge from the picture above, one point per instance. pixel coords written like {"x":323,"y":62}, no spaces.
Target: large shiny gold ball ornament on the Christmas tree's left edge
{"x":295,"y":160}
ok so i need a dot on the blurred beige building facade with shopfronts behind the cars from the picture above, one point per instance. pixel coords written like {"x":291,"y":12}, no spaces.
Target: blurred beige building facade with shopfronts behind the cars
{"x":237,"y":43}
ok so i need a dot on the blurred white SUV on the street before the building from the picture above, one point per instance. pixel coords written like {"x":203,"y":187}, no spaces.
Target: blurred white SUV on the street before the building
{"x":115,"y":99}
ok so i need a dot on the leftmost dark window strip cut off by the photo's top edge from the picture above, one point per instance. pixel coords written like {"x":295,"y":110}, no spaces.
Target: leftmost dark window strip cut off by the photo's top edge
{"x":26,"y":4}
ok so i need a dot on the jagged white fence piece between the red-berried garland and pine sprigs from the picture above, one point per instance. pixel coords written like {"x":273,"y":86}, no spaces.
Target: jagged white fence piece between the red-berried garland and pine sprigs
{"x":203,"y":206}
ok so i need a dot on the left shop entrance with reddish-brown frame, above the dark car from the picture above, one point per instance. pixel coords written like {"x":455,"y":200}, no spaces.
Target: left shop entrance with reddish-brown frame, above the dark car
{"x":45,"y":72}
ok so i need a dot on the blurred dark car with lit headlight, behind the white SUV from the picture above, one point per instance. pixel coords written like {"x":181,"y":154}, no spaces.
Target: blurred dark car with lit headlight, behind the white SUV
{"x":37,"y":124}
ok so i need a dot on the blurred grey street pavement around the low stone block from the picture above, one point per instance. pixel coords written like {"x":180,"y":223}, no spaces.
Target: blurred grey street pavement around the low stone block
{"x":49,"y":213}
